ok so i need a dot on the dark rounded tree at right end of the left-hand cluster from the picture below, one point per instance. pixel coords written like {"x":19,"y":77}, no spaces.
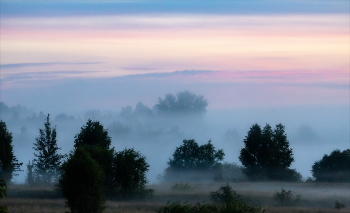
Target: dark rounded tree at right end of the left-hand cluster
{"x":130,"y":169}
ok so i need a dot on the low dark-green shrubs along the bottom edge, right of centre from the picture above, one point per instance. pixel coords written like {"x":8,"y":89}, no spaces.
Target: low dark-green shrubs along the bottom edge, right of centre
{"x":225,"y":200}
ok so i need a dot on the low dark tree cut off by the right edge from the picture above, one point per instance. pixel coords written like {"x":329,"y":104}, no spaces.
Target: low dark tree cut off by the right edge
{"x":333,"y":168}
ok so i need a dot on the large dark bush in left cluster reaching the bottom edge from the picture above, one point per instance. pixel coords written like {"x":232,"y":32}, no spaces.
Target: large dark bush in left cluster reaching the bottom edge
{"x":82,"y":183}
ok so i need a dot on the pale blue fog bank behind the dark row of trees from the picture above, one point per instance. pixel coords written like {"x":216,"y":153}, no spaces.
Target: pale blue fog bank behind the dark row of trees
{"x":311,"y":130}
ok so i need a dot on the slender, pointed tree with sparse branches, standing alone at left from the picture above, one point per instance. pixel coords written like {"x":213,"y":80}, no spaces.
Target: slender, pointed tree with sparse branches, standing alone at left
{"x":48,"y":160}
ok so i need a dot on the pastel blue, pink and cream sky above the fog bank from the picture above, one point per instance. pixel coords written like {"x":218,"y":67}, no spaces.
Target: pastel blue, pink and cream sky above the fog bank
{"x":294,"y":47}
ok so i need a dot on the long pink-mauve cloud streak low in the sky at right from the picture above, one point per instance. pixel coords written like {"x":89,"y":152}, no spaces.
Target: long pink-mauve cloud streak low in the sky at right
{"x":293,"y":77}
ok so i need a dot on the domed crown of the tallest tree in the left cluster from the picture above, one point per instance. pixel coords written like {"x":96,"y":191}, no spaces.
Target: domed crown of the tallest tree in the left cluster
{"x":92,"y":134}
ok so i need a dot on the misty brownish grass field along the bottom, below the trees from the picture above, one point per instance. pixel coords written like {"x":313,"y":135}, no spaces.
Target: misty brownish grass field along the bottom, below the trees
{"x":315,"y":197}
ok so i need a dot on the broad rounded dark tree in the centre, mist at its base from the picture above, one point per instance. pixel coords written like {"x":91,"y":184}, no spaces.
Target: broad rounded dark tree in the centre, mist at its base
{"x":193,"y":161}
